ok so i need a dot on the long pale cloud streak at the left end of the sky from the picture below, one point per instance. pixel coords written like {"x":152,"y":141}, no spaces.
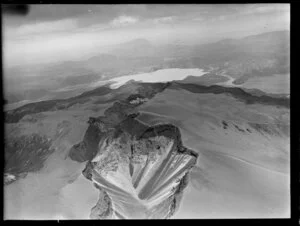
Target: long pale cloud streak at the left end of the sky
{"x":42,"y":27}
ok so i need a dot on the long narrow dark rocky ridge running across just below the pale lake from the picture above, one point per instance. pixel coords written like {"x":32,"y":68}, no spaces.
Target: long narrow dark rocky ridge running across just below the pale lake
{"x":144,"y":91}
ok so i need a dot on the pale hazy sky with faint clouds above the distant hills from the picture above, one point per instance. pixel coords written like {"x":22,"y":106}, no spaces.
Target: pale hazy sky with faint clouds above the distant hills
{"x":53,"y":33}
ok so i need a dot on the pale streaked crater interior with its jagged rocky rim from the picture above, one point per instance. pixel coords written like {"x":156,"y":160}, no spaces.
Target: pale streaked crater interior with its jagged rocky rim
{"x":142,"y":176}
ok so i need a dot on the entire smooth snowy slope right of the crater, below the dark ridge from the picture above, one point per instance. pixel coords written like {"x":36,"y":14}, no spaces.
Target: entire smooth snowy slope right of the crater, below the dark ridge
{"x":243,"y":149}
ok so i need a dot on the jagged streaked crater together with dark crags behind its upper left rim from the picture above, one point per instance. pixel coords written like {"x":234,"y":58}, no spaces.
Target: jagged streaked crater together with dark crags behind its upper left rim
{"x":140,"y":172}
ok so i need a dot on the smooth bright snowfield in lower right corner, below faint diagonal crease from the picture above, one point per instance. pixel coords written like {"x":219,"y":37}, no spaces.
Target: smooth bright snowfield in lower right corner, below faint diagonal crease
{"x":225,"y":187}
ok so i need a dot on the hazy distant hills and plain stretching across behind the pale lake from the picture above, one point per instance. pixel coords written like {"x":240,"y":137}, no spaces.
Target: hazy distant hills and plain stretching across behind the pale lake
{"x":257,"y":55}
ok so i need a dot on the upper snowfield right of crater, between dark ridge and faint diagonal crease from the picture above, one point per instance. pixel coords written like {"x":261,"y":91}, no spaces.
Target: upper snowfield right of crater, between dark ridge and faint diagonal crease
{"x":220,"y":122}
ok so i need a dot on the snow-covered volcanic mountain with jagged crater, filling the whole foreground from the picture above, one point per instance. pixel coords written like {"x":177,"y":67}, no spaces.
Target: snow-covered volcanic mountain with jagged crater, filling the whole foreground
{"x":215,"y":143}
